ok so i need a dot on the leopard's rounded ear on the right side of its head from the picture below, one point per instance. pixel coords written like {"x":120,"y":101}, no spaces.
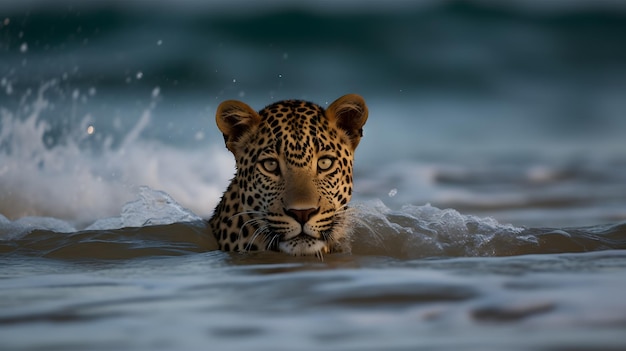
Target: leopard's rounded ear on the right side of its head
{"x":350,"y":114}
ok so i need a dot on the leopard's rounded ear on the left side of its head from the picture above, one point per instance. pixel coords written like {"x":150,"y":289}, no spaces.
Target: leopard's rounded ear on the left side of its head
{"x":234,"y":119}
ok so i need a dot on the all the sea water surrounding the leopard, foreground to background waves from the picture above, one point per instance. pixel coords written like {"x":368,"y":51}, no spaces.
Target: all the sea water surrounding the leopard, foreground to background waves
{"x":490,"y":186}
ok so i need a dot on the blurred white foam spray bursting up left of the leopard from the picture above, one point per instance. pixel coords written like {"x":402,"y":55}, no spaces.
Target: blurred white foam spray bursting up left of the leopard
{"x":70,"y":182}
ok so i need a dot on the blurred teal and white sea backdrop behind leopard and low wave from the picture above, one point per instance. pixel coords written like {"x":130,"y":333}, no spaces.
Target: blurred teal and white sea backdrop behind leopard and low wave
{"x":510,"y":109}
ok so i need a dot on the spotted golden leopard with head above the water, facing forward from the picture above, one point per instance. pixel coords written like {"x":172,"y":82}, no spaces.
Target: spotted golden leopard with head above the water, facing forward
{"x":294,"y":176}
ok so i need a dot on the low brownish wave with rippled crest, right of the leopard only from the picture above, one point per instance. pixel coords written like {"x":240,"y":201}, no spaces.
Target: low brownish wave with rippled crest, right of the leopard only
{"x":425,"y":231}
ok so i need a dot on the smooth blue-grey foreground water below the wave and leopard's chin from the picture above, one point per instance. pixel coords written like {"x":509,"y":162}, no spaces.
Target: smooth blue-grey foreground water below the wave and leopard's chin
{"x":229,"y":301}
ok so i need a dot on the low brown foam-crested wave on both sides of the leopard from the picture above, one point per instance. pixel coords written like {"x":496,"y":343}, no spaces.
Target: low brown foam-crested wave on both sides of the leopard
{"x":156,"y":221}
